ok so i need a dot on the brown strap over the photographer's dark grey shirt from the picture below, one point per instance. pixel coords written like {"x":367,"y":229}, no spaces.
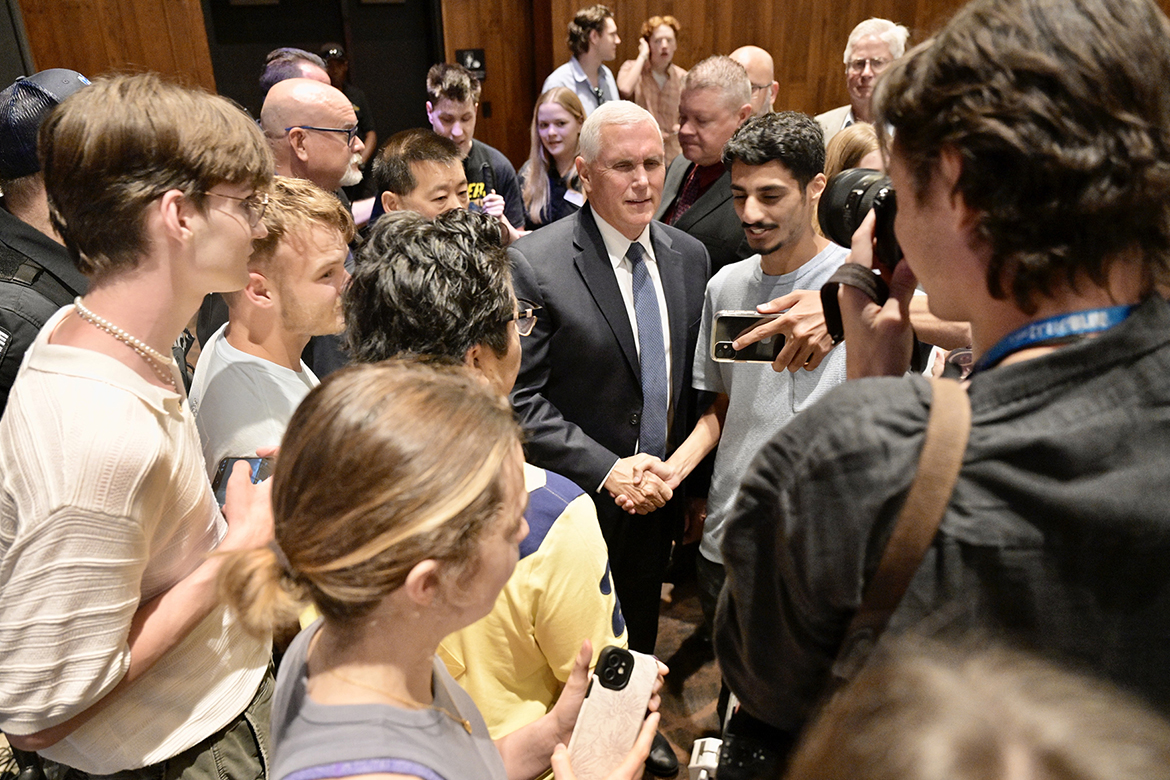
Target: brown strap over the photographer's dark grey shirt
{"x":939,"y":466}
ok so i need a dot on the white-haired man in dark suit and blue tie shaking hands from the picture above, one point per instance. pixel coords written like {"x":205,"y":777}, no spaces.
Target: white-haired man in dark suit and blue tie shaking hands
{"x":593,"y":395}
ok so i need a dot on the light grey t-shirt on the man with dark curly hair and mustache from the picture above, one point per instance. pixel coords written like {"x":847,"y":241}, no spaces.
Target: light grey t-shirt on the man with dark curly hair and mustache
{"x":762,"y":401}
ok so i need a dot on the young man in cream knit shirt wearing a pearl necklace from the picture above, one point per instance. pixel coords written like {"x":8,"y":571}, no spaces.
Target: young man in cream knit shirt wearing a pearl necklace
{"x":119,"y":658}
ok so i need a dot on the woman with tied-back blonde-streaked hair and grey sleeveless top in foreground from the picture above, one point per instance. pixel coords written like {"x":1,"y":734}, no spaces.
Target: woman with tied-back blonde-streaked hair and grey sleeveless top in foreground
{"x":400,"y":509}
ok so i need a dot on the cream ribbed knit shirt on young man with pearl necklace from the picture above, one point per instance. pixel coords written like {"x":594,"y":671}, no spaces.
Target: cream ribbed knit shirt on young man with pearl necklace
{"x":104,"y":507}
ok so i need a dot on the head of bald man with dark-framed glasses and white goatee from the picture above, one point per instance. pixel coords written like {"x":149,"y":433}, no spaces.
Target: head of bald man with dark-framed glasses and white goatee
{"x":313,"y":132}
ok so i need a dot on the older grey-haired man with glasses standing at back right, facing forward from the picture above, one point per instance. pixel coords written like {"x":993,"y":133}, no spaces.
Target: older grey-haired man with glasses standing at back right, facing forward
{"x":873,"y":45}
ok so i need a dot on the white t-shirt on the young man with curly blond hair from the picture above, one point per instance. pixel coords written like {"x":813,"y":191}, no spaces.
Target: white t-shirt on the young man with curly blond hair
{"x":243,"y":402}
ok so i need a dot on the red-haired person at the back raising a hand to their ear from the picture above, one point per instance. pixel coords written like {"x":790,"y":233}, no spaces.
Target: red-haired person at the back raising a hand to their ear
{"x":653,"y":81}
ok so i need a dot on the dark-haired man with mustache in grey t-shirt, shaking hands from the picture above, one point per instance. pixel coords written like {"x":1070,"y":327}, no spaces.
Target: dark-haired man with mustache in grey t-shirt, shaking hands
{"x":776,"y":165}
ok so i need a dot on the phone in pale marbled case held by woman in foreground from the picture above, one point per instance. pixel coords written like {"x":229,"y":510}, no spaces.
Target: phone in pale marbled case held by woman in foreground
{"x":614,"y":712}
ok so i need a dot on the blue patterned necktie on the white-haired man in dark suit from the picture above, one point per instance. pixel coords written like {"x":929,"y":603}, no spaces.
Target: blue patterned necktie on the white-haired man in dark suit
{"x":651,"y":357}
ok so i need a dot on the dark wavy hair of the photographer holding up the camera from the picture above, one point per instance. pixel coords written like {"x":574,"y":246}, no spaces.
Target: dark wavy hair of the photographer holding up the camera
{"x":1061,"y":113}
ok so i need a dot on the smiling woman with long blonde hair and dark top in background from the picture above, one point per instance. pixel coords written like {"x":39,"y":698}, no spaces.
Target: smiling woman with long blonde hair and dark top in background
{"x":549,"y":181}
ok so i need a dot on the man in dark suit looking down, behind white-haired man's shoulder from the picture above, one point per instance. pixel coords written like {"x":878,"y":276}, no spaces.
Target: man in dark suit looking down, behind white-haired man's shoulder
{"x":697,"y":197}
